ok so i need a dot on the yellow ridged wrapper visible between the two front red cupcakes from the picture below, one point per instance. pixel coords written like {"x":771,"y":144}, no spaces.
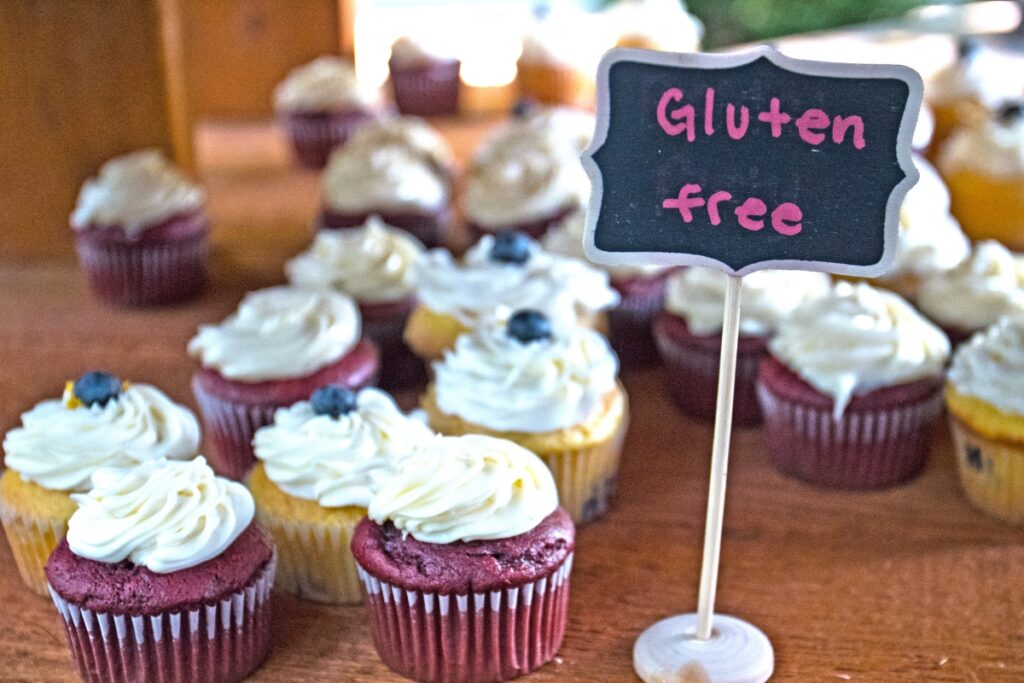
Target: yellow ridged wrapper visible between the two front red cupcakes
{"x":315,"y":562}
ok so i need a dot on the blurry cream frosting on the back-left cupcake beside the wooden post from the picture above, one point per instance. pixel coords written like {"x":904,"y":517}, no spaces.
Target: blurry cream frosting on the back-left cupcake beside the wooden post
{"x":326,"y":84}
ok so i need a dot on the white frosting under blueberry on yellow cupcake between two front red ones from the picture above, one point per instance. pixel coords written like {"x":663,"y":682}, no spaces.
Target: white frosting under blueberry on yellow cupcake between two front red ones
{"x":338,"y":461}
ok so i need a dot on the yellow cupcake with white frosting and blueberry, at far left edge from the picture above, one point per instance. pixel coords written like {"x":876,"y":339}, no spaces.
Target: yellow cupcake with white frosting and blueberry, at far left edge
{"x":99,"y":423}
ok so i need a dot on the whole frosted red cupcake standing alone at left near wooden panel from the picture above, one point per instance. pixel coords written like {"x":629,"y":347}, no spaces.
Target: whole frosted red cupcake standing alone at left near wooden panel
{"x":141,"y":232}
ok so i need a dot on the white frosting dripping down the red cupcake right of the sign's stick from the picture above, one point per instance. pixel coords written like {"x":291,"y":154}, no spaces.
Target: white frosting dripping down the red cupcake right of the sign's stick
{"x":858,"y":340}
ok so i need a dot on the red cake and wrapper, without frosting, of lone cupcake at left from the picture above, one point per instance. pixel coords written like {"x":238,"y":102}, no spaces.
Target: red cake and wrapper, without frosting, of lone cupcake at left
{"x":164,"y":268}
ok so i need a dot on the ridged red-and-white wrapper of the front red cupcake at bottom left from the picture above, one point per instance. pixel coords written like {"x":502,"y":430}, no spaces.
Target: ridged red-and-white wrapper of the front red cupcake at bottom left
{"x":221,"y":643}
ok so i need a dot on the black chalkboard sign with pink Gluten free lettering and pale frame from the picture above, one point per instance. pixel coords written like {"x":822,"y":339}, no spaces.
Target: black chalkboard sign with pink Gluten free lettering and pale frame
{"x":750,"y":161}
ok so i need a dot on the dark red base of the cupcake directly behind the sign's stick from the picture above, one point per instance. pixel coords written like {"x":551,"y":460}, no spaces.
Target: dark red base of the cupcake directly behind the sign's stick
{"x":693,"y":363}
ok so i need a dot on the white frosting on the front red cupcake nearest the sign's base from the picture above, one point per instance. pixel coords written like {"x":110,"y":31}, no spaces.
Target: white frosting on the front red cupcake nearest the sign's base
{"x":467,"y":489}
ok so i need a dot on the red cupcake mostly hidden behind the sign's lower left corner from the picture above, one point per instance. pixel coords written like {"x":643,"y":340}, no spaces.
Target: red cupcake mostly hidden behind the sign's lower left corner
{"x":642,"y":292}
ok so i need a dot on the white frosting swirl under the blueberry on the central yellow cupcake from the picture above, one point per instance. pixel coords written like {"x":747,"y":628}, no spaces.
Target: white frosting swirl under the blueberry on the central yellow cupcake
{"x":493,"y":380}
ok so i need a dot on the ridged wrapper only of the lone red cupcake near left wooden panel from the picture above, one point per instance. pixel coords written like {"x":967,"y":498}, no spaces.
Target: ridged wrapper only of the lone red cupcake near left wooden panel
{"x":145,"y":274}
